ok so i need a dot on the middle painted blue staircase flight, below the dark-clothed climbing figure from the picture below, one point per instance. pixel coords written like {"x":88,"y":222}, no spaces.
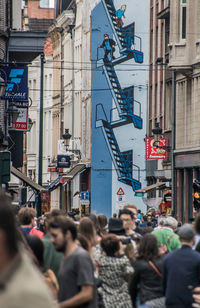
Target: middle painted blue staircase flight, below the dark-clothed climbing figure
{"x":124,"y":102}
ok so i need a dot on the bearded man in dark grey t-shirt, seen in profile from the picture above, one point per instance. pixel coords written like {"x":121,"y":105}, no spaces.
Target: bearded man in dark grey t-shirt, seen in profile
{"x":76,"y":274}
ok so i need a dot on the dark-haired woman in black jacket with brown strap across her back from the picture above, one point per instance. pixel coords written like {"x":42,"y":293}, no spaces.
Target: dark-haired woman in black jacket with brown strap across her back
{"x":146,"y":279}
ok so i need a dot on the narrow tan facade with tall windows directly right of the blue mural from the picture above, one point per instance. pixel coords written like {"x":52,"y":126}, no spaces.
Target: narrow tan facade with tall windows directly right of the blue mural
{"x":159,"y":94}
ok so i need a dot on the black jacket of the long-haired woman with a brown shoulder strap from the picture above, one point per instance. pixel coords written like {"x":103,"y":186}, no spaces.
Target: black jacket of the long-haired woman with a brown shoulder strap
{"x":148,"y":281}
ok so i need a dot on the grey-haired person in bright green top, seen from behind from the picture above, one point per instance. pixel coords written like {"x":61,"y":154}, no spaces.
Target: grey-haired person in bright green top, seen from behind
{"x":167,"y":240}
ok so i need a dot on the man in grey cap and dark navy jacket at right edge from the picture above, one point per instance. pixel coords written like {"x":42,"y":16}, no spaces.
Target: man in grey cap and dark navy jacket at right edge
{"x":181,"y":271}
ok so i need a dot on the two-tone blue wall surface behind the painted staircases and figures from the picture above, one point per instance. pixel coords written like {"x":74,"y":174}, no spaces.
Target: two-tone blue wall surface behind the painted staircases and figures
{"x":104,"y":178}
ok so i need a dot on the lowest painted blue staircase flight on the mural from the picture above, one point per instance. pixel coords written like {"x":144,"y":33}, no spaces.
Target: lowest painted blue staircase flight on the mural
{"x":122,"y":161}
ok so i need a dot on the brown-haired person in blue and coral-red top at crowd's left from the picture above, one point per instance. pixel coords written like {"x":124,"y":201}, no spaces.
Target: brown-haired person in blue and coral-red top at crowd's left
{"x":27,"y":217}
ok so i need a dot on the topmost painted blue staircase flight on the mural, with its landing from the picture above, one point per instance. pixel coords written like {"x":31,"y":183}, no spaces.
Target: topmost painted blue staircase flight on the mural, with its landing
{"x":125,"y":37}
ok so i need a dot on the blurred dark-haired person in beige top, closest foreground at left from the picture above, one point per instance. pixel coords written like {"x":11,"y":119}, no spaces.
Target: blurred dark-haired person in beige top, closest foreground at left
{"x":21,"y":284}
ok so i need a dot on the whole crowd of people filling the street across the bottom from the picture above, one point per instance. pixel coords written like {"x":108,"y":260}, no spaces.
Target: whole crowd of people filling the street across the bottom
{"x":131,"y":260}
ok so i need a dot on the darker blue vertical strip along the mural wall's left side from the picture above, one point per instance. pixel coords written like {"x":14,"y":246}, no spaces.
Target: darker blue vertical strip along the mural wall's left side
{"x":101,"y":177}
